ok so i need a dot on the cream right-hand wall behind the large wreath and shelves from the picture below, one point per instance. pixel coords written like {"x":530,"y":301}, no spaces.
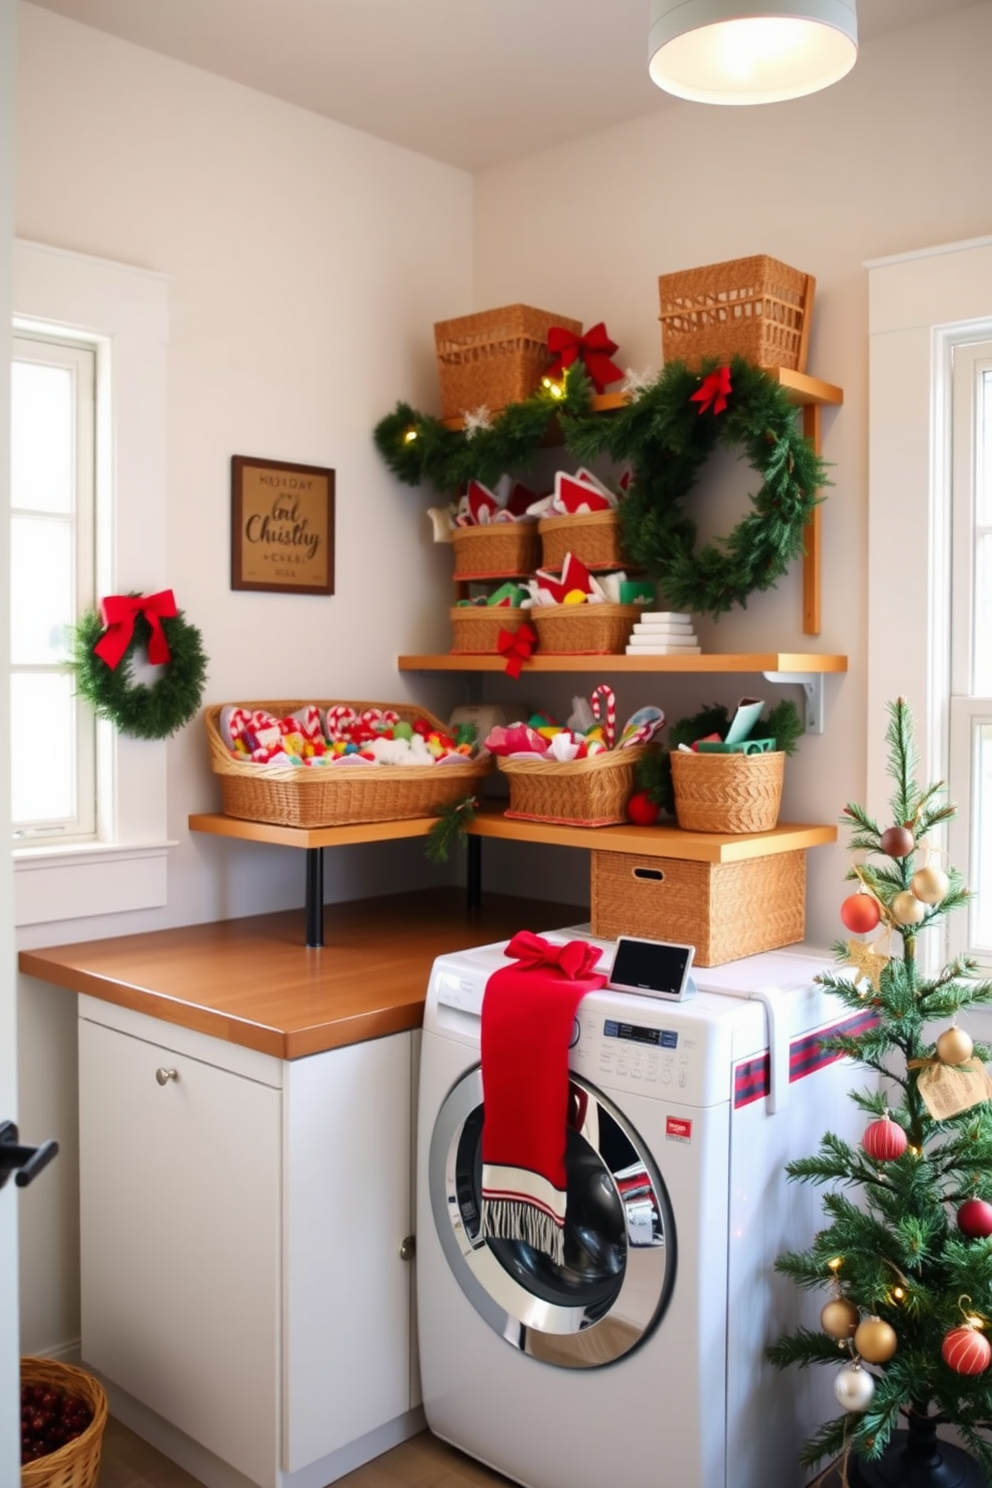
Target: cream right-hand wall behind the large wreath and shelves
{"x":890,"y":160}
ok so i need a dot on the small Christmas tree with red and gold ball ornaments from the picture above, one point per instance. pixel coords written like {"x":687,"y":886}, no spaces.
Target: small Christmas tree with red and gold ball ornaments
{"x":908,"y":1258}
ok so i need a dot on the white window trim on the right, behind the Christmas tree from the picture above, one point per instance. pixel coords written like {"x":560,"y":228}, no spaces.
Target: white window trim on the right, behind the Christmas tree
{"x":921,"y":309}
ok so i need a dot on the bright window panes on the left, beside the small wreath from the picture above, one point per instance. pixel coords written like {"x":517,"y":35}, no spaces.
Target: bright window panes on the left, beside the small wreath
{"x":53,"y":734}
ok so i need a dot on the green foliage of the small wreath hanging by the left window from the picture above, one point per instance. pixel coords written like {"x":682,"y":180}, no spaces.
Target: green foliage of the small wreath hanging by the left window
{"x":145,"y":713}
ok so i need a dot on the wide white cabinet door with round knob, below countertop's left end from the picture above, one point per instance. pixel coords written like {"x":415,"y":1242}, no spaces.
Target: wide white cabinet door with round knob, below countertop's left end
{"x":181,"y":1242}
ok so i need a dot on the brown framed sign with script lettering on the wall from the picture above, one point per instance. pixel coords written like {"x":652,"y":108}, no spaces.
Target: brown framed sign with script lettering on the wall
{"x":282,"y":527}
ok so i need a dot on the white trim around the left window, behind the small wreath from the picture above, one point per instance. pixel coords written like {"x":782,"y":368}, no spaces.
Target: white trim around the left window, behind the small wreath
{"x":124,"y":312}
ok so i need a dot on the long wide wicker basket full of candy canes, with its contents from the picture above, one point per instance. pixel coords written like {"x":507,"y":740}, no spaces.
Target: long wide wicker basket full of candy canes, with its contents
{"x":318,"y":764}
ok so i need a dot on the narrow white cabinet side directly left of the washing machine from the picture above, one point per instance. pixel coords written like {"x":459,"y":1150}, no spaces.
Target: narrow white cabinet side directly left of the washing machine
{"x":347,"y":1212}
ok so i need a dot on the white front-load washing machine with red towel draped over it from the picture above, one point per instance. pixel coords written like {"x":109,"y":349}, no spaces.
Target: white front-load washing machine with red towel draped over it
{"x":640,"y":1361}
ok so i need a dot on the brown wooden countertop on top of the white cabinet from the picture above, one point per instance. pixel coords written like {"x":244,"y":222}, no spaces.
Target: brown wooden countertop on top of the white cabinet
{"x":255,"y":983}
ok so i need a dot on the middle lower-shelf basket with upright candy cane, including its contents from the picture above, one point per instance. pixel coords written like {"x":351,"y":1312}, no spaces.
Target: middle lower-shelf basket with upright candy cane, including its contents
{"x":581,"y":773}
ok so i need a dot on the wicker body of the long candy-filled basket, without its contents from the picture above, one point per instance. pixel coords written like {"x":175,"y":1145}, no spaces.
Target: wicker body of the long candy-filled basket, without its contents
{"x":335,"y":795}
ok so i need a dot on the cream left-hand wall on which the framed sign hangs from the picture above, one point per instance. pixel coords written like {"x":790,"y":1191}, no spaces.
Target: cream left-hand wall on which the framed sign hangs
{"x":309,"y":266}
